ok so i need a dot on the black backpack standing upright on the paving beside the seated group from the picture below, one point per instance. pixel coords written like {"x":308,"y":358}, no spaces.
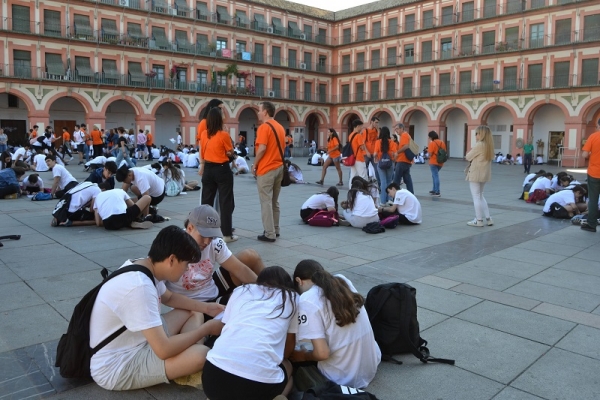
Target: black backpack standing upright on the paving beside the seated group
{"x":392,"y":310}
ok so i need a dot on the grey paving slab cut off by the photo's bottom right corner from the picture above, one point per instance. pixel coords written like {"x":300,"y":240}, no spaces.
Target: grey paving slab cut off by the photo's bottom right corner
{"x":549,"y":378}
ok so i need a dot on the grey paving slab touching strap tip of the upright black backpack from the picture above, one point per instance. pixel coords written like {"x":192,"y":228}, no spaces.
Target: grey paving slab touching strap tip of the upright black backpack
{"x":474,"y":347}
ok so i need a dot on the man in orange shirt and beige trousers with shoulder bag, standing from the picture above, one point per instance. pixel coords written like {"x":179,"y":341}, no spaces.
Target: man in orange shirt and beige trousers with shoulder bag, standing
{"x":268,"y":169}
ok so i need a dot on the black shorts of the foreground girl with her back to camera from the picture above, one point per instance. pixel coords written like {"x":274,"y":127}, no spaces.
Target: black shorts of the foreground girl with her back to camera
{"x":221,"y":385}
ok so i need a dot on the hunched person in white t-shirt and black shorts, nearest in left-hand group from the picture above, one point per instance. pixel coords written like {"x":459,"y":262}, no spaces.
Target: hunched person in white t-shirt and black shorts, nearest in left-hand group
{"x":115,"y":210}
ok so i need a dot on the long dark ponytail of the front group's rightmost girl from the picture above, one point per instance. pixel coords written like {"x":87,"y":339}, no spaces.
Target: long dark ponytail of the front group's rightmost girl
{"x":345,"y":304}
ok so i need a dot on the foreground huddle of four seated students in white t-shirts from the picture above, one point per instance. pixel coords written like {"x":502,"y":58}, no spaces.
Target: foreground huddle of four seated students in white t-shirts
{"x":271,"y":320}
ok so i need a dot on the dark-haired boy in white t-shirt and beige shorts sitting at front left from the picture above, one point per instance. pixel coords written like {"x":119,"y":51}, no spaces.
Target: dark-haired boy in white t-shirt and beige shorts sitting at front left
{"x":151,"y":351}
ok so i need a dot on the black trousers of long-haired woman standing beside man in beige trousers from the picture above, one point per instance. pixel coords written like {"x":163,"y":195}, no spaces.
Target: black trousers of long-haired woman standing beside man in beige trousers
{"x":218,"y":178}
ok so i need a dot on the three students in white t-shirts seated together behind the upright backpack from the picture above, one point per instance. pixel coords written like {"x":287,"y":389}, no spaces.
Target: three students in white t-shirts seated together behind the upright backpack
{"x":361,"y":207}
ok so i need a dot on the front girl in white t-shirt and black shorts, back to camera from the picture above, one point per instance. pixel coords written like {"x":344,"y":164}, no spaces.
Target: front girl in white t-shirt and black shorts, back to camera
{"x":247,"y":361}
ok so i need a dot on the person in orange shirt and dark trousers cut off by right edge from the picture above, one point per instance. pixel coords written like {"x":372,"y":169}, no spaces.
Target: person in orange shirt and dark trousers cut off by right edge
{"x":591,"y":150}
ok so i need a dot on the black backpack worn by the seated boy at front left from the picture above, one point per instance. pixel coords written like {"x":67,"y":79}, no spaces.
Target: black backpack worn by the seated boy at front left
{"x":74,"y":353}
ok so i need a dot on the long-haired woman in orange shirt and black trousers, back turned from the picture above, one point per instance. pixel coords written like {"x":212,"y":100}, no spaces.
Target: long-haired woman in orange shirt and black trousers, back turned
{"x":215,"y":150}
